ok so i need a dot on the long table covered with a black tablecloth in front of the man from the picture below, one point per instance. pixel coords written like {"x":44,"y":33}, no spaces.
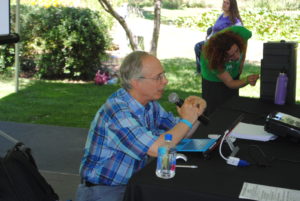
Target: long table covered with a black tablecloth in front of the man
{"x":215,"y":180}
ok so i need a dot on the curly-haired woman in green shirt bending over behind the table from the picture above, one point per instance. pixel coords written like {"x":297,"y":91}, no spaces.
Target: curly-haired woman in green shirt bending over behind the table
{"x":221,"y":65}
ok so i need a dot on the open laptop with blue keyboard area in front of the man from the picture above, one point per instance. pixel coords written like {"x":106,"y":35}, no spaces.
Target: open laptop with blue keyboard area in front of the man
{"x":205,"y":145}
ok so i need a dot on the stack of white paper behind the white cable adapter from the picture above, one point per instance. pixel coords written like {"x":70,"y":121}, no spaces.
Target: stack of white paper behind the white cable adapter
{"x":251,"y":132}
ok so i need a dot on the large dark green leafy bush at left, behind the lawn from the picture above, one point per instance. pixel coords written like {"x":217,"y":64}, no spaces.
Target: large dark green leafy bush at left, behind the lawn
{"x":62,"y":42}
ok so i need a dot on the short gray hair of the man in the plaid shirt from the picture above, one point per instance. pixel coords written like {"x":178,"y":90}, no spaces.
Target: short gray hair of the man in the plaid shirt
{"x":131,"y":67}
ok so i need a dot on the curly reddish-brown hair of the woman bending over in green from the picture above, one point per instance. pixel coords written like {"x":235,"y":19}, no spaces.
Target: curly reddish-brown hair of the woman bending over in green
{"x":216,"y":49}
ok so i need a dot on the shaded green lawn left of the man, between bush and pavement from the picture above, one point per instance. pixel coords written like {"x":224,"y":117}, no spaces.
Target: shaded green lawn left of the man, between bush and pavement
{"x":55,"y":103}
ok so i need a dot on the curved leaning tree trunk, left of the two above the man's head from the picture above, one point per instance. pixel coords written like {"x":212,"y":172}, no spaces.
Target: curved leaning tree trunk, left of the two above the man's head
{"x":108,"y":8}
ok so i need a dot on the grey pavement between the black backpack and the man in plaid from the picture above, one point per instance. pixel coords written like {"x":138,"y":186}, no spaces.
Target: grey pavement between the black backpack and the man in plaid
{"x":57,"y":151}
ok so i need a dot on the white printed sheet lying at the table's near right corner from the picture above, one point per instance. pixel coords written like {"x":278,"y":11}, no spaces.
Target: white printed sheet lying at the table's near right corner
{"x":268,"y":193}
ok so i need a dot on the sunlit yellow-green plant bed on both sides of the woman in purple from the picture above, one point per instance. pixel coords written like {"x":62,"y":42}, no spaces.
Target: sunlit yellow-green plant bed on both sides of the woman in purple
{"x":264,"y":24}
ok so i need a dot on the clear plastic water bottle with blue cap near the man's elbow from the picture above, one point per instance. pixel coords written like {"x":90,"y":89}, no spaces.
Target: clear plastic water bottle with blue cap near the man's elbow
{"x":166,"y":159}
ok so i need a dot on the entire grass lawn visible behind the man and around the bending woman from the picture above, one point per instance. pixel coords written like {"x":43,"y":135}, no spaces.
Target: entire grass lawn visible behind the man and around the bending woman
{"x":75,"y":104}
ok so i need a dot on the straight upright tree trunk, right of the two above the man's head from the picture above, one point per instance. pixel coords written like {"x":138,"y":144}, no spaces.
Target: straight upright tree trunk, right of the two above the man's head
{"x":155,"y":35}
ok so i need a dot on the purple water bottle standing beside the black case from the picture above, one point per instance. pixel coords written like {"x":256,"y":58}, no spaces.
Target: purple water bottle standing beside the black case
{"x":281,"y":88}
